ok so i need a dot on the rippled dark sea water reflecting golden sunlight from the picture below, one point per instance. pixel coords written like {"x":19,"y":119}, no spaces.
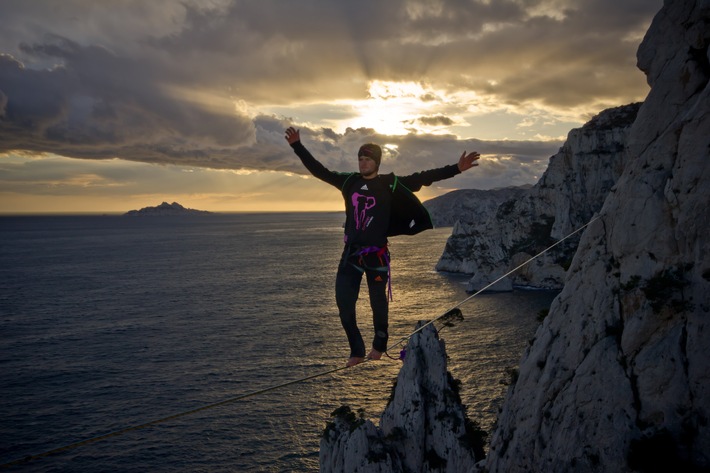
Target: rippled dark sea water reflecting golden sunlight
{"x":110,"y":322}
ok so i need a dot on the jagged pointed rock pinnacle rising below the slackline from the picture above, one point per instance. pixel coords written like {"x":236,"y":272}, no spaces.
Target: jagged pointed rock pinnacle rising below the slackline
{"x":423,"y":428}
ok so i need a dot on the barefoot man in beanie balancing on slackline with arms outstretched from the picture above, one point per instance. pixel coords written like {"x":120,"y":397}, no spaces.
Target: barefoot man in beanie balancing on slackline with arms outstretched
{"x":376,"y":207}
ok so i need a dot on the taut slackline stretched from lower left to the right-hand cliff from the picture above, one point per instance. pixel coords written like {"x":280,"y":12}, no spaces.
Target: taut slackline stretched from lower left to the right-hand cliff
{"x":116,"y":433}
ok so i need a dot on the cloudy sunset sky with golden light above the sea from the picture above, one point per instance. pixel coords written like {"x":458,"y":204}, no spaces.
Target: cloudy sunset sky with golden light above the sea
{"x":111,"y":106}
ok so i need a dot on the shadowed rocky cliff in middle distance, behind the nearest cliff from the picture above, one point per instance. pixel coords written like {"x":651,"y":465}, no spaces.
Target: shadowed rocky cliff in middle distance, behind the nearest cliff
{"x":490,"y":242}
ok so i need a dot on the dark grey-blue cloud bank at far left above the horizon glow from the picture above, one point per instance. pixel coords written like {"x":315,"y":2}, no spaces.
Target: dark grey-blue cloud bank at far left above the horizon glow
{"x":96,"y":104}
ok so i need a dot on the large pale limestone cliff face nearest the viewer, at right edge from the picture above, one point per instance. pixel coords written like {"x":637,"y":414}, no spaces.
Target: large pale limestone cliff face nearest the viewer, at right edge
{"x":618,"y":376}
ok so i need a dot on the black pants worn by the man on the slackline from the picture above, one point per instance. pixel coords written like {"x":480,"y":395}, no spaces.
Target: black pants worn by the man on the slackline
{"x":347,"y":290}
